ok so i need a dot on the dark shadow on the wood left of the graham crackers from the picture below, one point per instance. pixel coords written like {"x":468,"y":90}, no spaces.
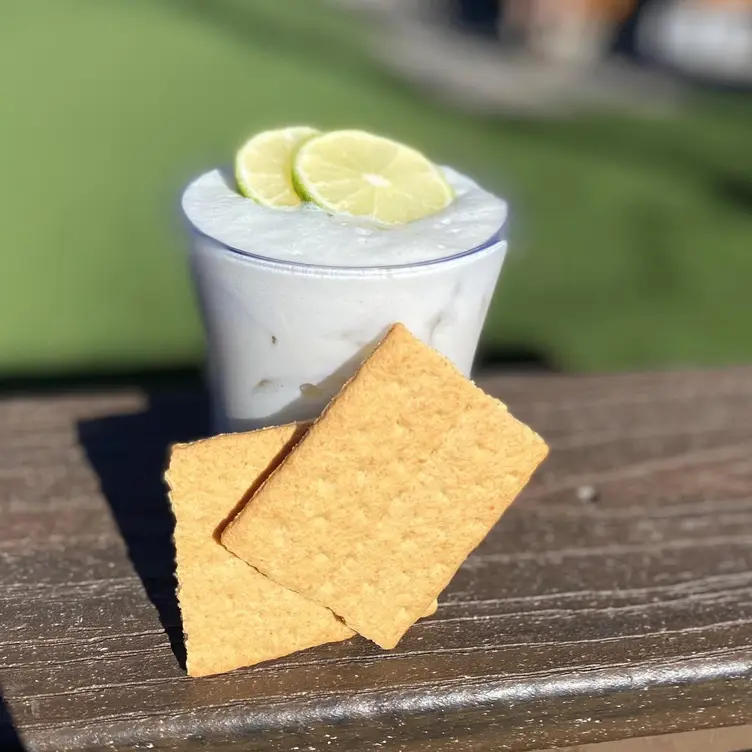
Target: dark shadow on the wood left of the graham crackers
{"x":129,"y":453}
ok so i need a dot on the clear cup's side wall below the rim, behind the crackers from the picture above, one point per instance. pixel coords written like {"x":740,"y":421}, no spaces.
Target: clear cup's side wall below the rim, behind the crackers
{"x":283,"y":337}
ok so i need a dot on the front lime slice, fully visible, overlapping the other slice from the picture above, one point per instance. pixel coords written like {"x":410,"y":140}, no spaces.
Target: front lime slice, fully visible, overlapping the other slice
{"x":357,"y":173}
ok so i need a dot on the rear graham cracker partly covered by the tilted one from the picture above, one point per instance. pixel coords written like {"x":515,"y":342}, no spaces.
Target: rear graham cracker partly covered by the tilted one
{"x":232,"y":614}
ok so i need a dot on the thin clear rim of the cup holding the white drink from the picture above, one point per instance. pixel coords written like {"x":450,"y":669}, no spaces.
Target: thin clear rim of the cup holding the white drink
{"x":496,"y":238}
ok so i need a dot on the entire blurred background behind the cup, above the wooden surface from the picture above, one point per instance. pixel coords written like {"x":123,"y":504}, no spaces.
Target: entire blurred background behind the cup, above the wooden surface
{"x":619,"y":130}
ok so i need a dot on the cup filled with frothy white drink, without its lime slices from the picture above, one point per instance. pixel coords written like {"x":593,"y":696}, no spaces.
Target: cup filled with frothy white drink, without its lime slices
{"x":293,"y":300}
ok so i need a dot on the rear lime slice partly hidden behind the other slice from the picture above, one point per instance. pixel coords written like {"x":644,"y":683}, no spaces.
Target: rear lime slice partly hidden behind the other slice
{"x":263,"y":166}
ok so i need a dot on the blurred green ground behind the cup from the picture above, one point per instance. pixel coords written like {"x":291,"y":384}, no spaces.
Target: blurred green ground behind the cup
{"x":632,"y":238}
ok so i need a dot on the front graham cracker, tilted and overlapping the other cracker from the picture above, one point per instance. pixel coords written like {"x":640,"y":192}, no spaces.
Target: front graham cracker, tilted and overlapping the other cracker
{"x":403,"y":475}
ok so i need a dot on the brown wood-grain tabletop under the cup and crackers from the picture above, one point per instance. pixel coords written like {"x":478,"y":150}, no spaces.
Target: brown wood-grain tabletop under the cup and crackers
{"x":613,"y":600}
